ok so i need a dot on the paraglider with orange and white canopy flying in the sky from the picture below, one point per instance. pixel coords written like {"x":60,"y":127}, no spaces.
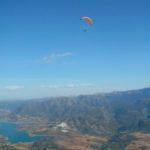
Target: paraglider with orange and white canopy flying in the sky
{"x":87,"y":22}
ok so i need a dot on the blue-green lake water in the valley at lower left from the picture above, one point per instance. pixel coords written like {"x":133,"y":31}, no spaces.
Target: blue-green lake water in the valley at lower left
{"x":10,"y":131}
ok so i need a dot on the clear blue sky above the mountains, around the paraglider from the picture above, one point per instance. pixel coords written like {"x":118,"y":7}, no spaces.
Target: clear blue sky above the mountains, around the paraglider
{"x":44,"y":52}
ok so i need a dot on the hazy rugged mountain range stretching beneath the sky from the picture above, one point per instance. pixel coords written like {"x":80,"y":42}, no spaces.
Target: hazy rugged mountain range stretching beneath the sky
{"x":97,"y":114}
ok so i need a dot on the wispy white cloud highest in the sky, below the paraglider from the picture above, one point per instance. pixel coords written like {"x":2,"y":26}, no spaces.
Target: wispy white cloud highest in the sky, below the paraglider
{"x":55,"y":56}
